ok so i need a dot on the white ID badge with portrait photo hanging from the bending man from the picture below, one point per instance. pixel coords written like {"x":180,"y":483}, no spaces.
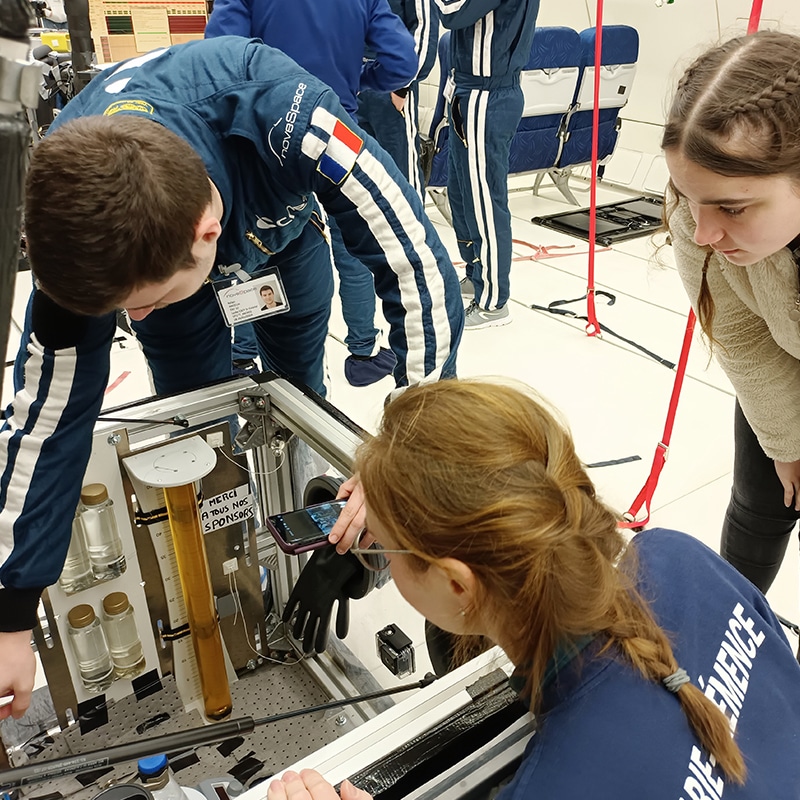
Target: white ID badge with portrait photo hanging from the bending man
{"x":247,"y":298}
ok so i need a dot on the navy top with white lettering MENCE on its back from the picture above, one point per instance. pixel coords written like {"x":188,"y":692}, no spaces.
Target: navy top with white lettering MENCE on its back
{"x":606,"y":732}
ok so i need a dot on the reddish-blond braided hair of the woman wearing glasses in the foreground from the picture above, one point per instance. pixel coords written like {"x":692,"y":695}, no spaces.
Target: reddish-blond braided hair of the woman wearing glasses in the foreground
{"x":485,"y":473}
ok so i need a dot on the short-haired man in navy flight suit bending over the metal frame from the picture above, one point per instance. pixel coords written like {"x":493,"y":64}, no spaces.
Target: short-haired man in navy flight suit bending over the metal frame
{"x":161,"y":177}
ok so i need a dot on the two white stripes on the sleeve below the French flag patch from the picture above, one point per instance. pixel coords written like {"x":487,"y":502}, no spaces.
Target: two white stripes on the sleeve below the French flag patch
{"x":398,"y":261}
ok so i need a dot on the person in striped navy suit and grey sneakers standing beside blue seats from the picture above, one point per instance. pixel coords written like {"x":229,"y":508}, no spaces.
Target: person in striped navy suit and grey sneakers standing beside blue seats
{"x":490,"y":44}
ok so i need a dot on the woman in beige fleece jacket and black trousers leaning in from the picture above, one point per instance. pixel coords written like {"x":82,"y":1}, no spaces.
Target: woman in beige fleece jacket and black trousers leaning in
{"x":732,"y":144}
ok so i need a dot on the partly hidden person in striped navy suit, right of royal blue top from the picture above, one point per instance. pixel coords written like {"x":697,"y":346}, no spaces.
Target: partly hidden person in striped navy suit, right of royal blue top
{"x":381,"y":114}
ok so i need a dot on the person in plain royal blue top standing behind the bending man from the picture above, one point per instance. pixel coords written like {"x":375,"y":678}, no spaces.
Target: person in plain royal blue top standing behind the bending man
{"x":329,"y":39}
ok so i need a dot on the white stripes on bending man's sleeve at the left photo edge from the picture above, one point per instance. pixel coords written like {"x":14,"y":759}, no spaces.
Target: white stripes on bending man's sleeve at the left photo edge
{"x":30,"y":444}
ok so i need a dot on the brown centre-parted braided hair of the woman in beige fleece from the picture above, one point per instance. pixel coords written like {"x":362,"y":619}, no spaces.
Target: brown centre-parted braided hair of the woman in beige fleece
{"x":736,"y":112}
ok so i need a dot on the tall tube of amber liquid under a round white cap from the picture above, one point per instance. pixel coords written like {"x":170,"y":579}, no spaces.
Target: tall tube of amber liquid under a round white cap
{"x":190,"y":553}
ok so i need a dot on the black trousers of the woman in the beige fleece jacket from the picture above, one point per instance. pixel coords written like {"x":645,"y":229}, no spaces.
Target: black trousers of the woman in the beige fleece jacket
{"x":757,"y":525}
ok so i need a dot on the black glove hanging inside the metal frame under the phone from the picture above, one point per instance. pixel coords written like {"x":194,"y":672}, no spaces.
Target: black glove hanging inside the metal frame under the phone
{"x":327,"y":578}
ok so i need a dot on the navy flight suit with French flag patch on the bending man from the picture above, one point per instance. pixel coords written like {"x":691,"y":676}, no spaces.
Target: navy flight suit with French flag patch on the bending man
{"x":274,"y":139}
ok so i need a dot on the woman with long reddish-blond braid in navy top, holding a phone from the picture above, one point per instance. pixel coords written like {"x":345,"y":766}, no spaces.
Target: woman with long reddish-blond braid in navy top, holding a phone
{"x":654,"y":669}
